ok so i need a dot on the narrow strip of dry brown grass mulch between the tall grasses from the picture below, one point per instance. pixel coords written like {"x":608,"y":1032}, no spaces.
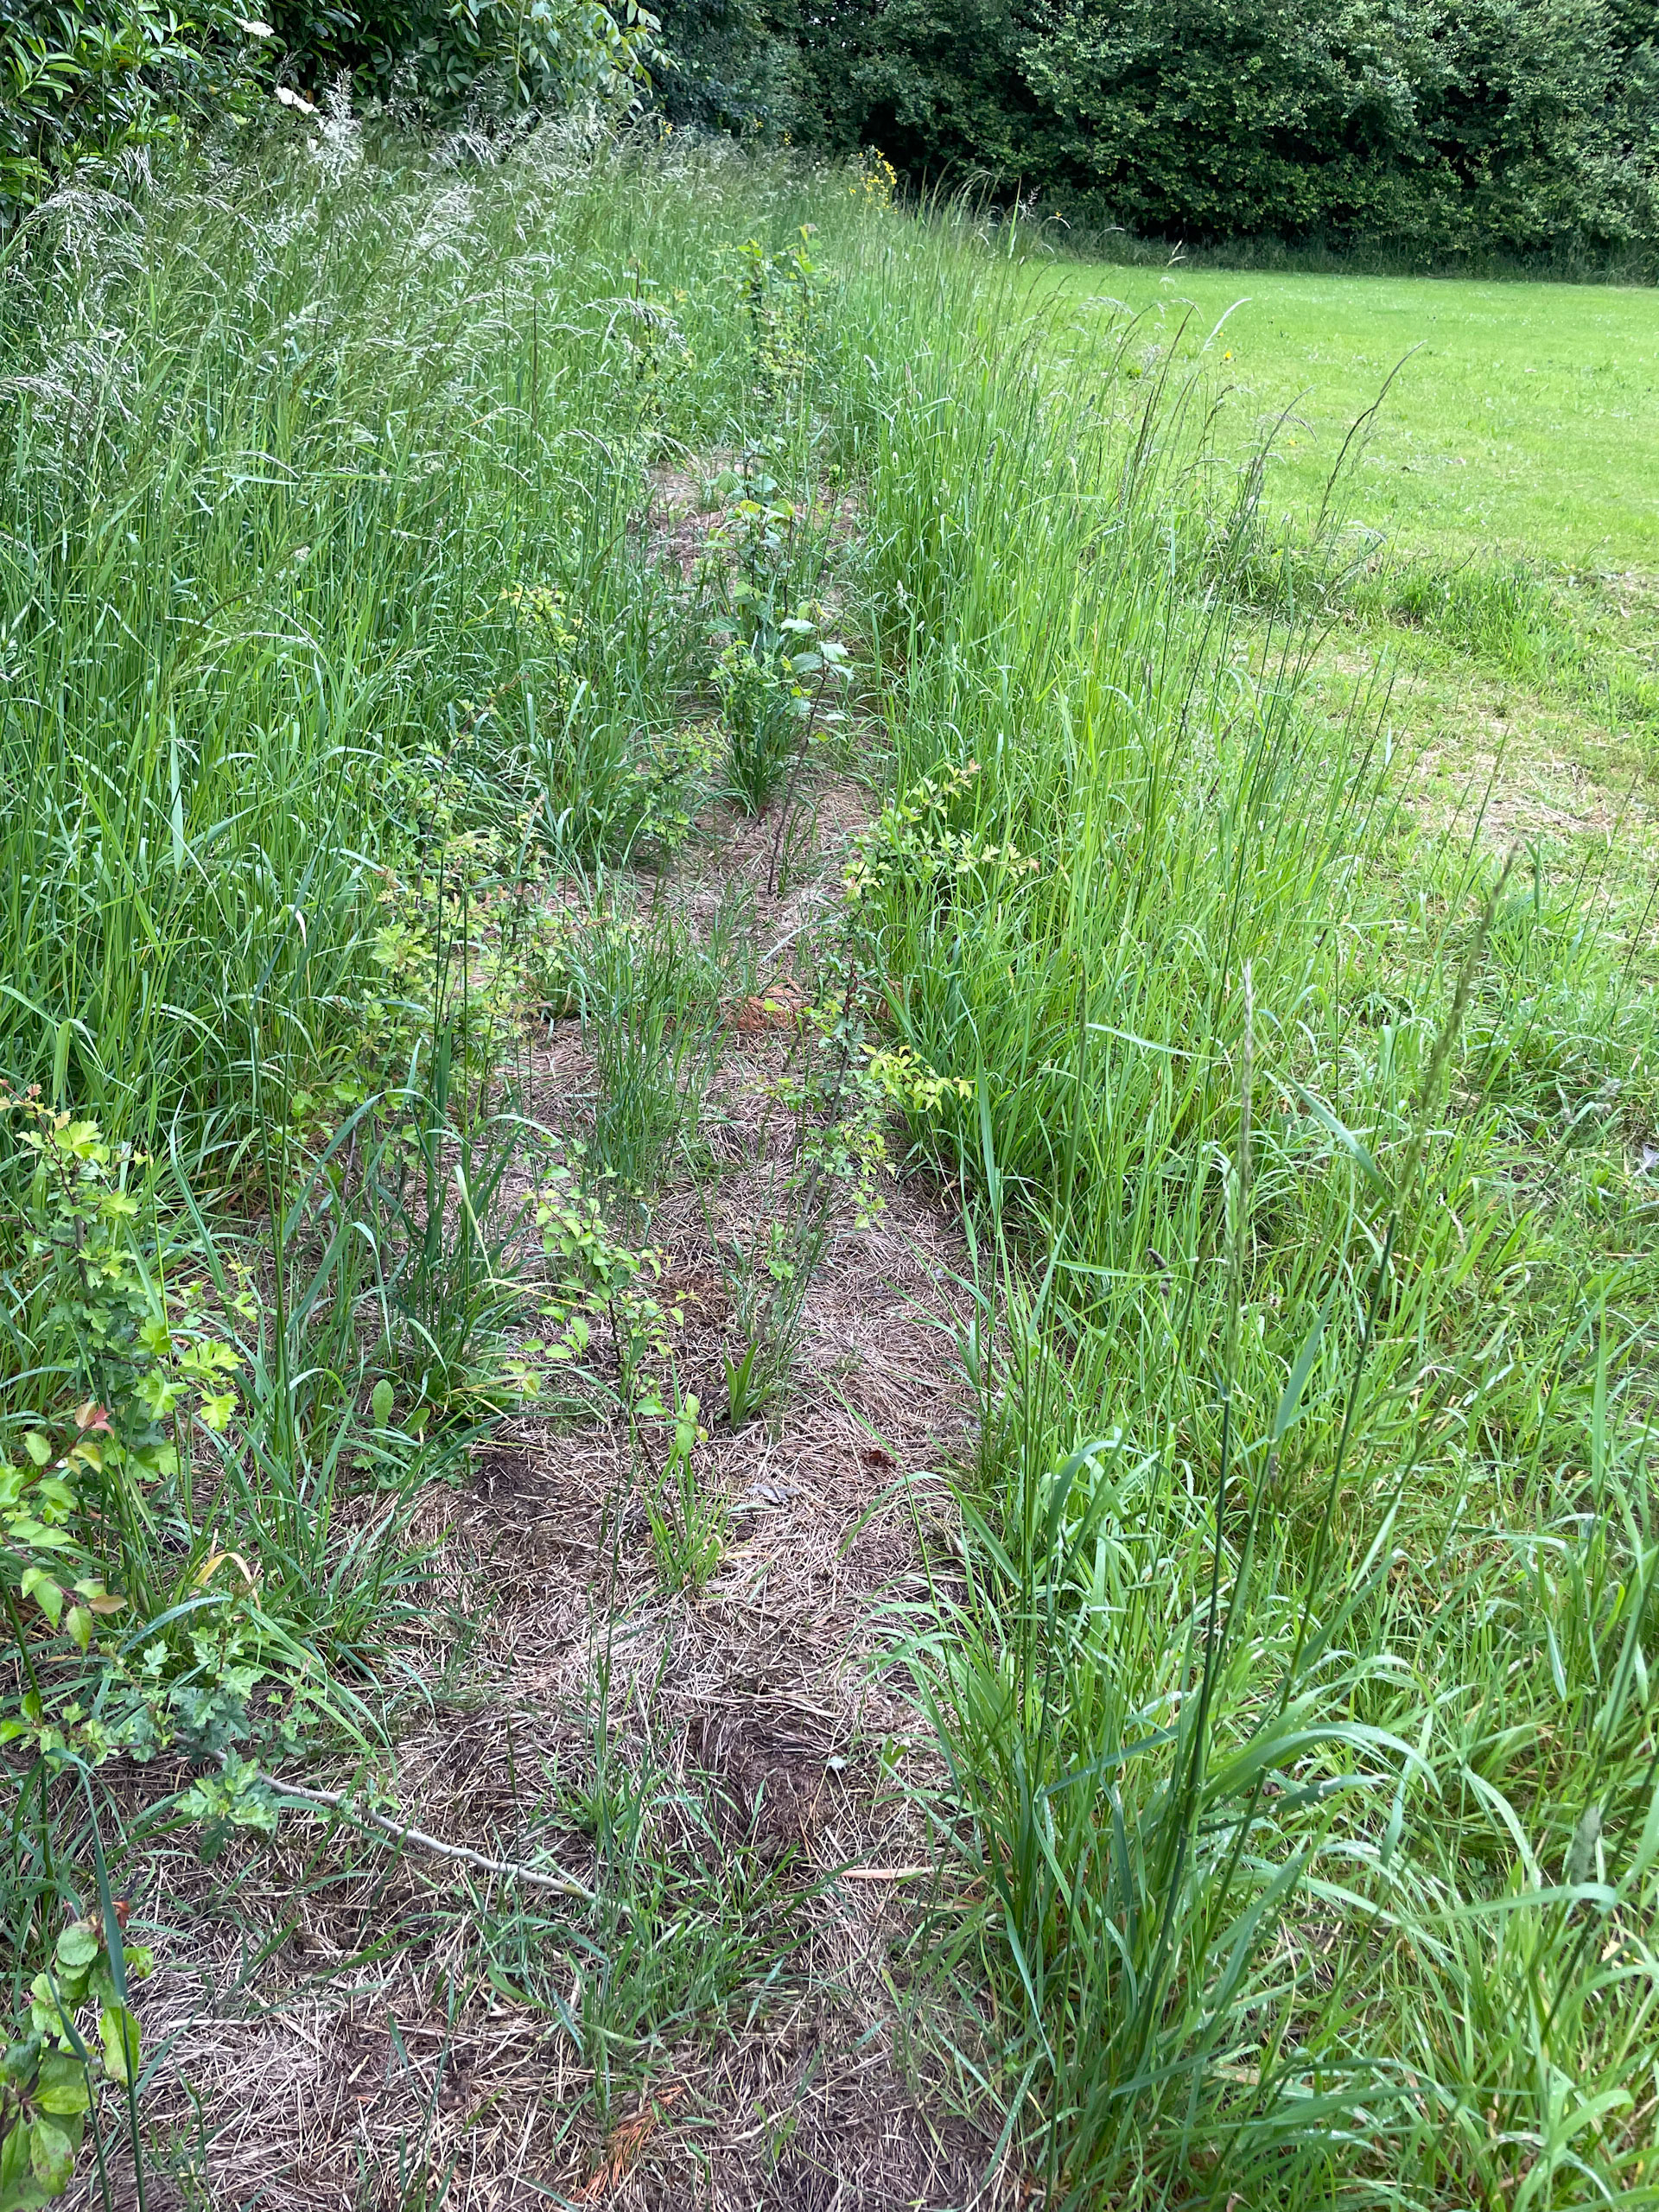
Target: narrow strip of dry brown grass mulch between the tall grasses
{"x":353,"y":2027}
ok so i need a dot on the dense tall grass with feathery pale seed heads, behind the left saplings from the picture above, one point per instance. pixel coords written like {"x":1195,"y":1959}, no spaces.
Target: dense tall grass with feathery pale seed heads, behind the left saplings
{"x":289,"y":459}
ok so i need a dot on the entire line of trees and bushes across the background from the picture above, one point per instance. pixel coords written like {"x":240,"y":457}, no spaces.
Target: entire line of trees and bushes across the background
{"x":1434,"y":127}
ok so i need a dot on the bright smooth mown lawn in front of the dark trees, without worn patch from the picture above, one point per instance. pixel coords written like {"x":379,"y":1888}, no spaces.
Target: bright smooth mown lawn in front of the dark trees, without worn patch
{"x":1519,"y":417}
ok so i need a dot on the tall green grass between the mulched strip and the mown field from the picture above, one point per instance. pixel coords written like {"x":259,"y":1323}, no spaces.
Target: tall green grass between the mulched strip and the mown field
{"x":1297,"y":1702}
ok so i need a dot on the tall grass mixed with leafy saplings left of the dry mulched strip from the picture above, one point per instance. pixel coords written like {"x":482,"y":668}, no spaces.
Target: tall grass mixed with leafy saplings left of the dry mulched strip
{"x":333,"y":632}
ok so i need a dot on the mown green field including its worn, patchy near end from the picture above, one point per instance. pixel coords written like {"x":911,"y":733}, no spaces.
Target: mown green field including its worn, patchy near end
{"x":1499,"y":525}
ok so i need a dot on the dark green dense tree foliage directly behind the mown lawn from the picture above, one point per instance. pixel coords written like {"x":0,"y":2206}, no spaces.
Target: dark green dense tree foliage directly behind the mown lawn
{"x":1523,"y":127}
